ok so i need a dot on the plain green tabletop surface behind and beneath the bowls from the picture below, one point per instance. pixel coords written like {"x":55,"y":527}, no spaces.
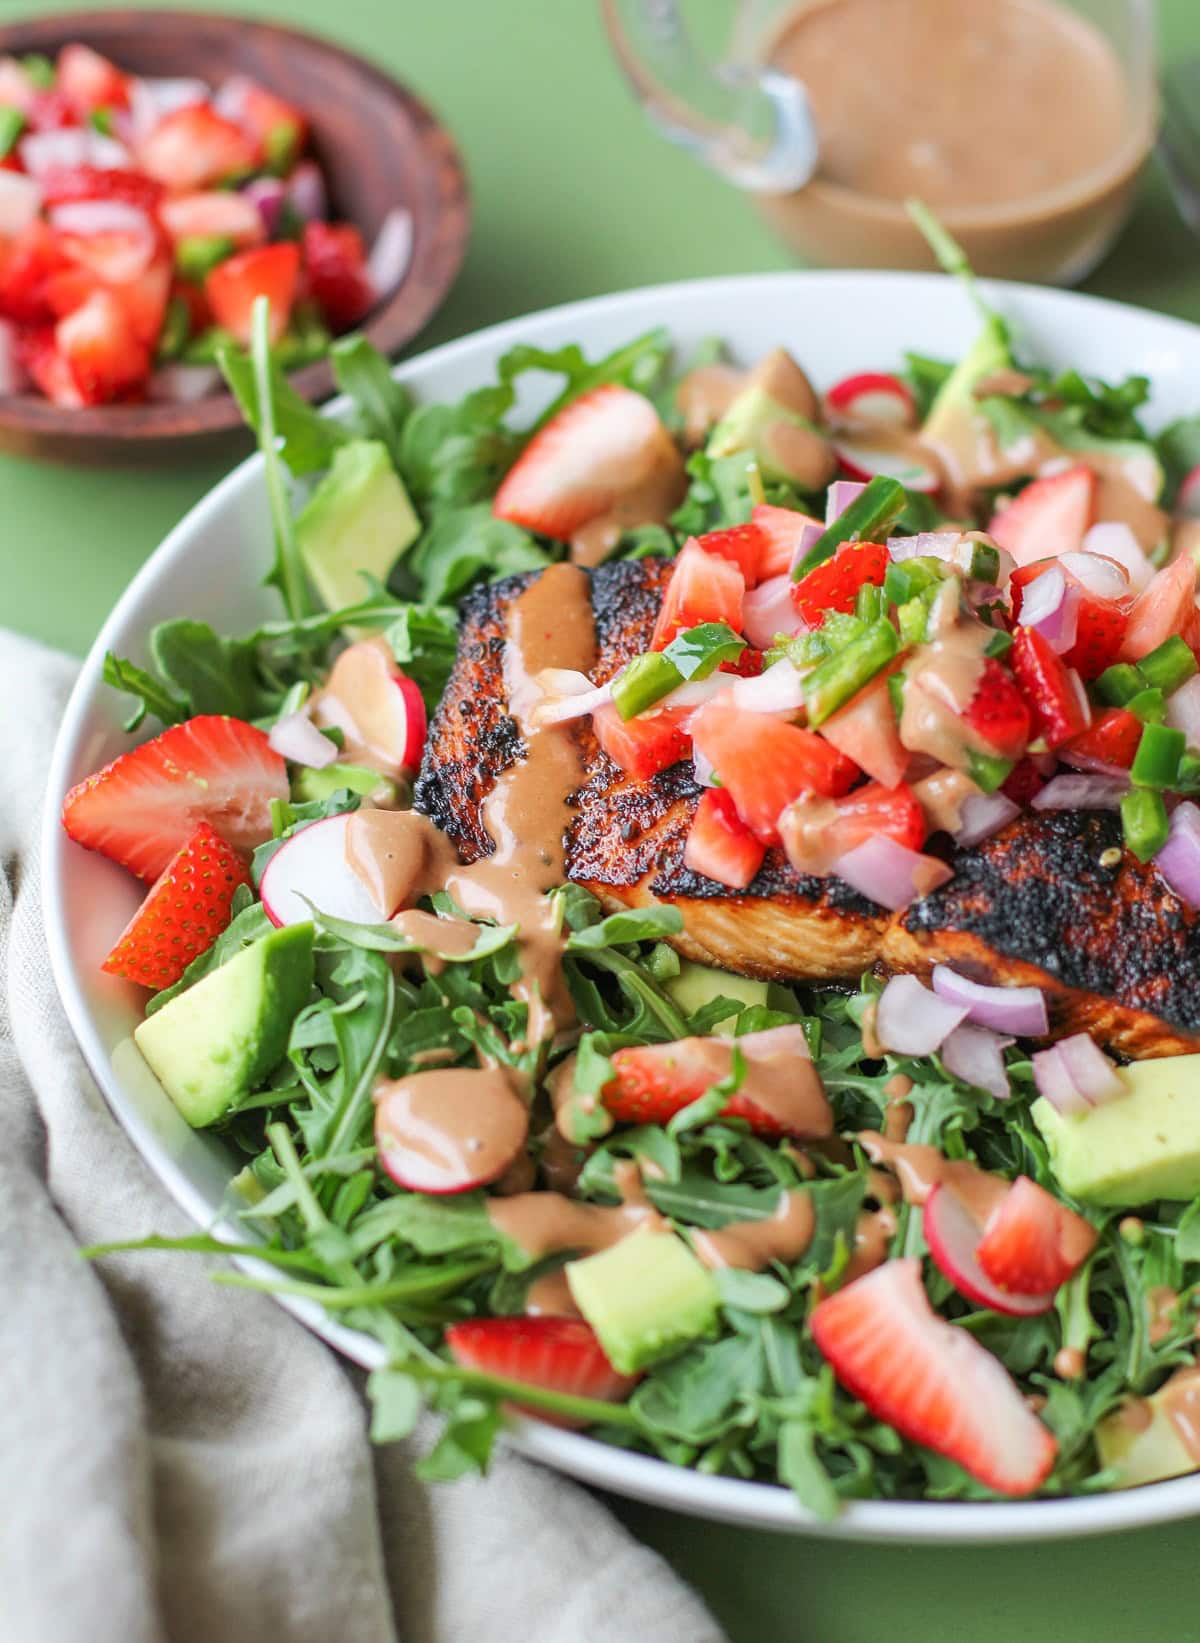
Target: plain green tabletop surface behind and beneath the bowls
{"x":573,"y":198}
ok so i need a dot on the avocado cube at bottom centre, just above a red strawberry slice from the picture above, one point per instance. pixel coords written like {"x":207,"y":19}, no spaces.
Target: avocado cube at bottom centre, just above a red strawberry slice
{"x":647,"y":1297}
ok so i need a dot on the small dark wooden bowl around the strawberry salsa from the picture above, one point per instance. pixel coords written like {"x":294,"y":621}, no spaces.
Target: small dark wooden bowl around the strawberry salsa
{"x":377,"y":144}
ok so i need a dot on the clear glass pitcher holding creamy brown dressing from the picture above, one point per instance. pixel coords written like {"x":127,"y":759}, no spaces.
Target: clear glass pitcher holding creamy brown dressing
{"x":1023,"y":124}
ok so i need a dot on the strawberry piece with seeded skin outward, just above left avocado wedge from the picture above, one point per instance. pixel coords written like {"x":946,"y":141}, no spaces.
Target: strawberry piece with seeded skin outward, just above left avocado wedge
{"x":185,"y":913}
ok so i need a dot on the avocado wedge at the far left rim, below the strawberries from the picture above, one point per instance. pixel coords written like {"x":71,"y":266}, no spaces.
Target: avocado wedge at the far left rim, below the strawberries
{"x":215,"y":1042}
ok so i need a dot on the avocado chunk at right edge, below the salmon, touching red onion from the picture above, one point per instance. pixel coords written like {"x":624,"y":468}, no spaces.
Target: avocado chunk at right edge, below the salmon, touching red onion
{"x":1135,"y":1149}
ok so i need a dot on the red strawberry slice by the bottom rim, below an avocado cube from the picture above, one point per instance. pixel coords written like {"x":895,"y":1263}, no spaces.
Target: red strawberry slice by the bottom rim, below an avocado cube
{"x":560,"y":1355}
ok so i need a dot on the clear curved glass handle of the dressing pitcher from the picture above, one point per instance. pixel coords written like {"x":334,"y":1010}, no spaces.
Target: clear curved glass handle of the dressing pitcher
{"x":750,"y":124}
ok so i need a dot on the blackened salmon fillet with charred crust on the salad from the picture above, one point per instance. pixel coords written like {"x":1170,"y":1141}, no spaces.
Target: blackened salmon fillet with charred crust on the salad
{"x":1115,"y":952}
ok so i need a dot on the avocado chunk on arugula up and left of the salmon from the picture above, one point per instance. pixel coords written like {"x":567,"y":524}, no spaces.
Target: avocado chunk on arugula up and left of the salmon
{"x":358,"y":520}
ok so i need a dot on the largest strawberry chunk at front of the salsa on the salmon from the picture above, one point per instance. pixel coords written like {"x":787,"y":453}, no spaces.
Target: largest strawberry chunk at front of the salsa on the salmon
{"x":765,"y":763}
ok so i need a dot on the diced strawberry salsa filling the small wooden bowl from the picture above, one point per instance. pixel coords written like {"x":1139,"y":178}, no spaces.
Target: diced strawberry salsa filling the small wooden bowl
{"x":141,"y":219}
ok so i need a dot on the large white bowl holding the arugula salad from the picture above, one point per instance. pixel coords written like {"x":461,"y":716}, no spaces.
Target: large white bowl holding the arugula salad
{"x":213,"y":564}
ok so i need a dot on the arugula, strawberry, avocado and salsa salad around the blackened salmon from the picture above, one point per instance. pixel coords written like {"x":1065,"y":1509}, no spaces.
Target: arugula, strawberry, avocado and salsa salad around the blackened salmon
{"x":893,"y":1243}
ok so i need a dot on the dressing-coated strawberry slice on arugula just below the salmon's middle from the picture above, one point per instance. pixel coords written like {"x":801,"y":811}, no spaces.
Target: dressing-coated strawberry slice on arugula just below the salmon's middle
{"x":655,"y":1082}
